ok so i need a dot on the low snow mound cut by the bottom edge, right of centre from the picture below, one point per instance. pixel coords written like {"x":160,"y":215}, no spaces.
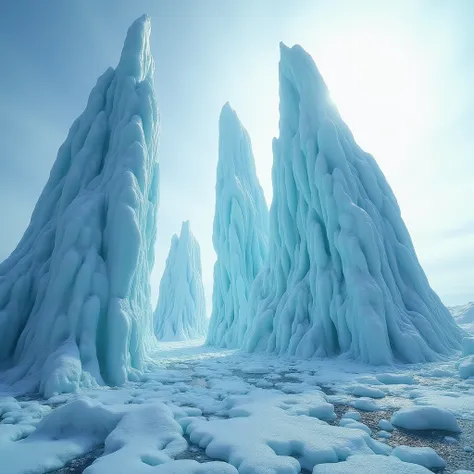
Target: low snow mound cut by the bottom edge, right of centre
{"x":371,"y":465}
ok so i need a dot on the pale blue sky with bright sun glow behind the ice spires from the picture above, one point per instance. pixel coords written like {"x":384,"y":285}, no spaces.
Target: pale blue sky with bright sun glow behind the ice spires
{"x":401,"y":73}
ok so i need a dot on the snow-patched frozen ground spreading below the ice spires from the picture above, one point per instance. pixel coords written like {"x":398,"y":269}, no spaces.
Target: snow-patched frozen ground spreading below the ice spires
{"x":260,"y":414}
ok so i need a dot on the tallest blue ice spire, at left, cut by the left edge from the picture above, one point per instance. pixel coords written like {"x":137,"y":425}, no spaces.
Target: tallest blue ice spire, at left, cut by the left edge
{"x":74,"y":295}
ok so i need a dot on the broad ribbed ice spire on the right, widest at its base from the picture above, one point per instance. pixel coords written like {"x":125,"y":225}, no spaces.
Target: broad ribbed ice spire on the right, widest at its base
{"x":342,"y":275}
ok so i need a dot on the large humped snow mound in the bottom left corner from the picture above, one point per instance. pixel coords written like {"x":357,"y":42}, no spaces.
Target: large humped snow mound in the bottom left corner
{"x":136,"y":437}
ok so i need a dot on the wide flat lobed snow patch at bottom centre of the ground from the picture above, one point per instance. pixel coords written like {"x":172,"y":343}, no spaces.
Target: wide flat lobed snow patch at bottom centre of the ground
{"x":270,"y":432}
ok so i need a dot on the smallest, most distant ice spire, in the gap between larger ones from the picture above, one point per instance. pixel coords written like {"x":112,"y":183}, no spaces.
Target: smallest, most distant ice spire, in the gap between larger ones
{"x":181,"y":310}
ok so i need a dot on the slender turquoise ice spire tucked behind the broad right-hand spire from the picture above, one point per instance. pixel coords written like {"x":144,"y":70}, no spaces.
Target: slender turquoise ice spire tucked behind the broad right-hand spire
{"x":240,"y":233}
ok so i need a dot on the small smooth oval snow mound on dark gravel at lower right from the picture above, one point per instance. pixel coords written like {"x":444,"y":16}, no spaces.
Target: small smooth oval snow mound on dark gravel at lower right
{"x":425,"y":418}
